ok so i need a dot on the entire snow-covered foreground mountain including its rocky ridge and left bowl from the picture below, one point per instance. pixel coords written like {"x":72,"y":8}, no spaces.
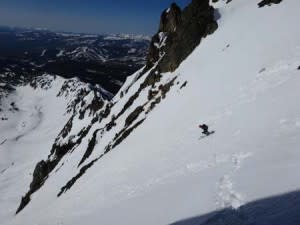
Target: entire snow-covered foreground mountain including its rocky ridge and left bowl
{"x":140,"y":158}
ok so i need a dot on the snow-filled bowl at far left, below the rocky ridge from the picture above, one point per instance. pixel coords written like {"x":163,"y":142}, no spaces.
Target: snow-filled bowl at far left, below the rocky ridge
{"x":33,"y":116}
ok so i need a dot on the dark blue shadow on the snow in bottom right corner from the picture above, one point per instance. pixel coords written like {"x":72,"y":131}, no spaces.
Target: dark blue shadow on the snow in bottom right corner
{"x":277,"y":210}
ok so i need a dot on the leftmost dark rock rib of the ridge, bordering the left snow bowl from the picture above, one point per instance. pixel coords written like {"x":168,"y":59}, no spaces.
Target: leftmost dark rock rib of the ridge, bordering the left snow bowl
{"x":58,"y":151}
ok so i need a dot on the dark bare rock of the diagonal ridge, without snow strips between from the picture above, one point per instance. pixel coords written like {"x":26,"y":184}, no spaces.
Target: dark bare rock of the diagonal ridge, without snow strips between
{"x":179,"y":33}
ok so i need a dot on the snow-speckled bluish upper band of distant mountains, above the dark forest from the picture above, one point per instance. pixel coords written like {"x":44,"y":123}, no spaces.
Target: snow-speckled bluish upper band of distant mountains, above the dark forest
{"x":41,"y":46}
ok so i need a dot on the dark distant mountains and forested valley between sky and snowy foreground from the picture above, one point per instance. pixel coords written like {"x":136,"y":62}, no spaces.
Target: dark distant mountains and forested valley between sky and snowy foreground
{"x":104,"y":59}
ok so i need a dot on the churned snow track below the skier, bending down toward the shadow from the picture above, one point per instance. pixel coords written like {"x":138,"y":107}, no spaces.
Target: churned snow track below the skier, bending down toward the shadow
{"x":226,"y":195}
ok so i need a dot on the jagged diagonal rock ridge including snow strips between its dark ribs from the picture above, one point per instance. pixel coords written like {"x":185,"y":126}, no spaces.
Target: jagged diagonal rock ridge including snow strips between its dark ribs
{"x":179,"y":33}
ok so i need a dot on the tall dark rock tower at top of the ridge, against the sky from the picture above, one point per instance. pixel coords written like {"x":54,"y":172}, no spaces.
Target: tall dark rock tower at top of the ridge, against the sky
{"x":179,"y":33}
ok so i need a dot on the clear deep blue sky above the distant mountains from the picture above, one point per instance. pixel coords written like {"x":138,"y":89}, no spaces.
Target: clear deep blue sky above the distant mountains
{"x":92,"y":16}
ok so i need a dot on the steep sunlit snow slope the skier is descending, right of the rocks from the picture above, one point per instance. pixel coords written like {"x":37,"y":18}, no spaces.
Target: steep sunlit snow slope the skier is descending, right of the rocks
{"x":244,"y":83}
